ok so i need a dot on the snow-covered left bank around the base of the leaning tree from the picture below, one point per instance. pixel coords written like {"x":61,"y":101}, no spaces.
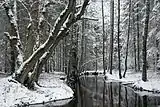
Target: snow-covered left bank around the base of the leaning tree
{"x":12,"y":93}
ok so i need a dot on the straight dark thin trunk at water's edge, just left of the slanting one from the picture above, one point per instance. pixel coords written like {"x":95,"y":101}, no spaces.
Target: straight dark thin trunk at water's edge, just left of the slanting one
{"x":118,"y":35}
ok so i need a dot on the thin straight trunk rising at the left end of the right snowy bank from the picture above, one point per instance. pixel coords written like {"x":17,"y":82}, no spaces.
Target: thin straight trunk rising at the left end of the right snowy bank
{"x":103,"y":36}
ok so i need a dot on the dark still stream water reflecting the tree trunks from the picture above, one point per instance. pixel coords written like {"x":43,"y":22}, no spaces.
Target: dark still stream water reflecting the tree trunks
{"x":94,"y":92}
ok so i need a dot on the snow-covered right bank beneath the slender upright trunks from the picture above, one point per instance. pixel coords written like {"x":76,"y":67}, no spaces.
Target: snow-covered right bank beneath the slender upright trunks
{"x":135,"y":78}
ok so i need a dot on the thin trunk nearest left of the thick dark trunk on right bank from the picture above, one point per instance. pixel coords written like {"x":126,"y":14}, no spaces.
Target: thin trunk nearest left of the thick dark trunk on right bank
{"x":138,"y":48}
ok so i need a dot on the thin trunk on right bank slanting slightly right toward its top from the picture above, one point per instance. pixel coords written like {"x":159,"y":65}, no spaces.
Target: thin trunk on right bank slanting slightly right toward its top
{"x":128,"y":34}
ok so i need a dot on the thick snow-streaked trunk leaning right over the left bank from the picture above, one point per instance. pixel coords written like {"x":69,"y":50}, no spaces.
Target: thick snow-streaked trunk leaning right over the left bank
{"x":66,"y":19}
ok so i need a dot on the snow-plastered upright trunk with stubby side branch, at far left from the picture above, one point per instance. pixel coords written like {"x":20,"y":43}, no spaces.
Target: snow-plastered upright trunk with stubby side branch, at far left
{"x":14,"y":38}
